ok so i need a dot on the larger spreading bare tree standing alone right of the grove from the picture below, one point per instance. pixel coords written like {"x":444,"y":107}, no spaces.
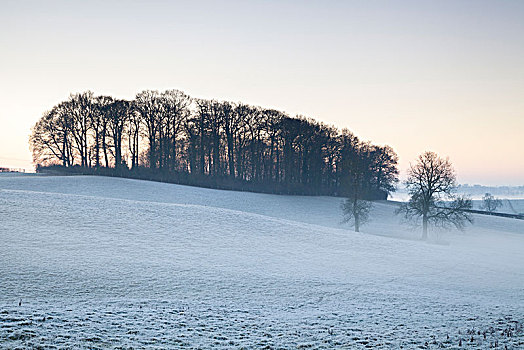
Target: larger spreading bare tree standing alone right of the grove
{"x":432,"y":184}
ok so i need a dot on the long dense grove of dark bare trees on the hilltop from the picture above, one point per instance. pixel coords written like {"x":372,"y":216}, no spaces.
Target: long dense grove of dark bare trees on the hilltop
{"x":172,"y":133}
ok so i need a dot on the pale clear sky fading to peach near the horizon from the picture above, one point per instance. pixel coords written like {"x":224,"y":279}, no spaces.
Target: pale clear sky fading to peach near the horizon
{"x":444,"y":76}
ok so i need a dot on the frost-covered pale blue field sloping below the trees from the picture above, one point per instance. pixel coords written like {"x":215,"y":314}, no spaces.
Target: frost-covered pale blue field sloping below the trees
{"x":115,"y":263}
